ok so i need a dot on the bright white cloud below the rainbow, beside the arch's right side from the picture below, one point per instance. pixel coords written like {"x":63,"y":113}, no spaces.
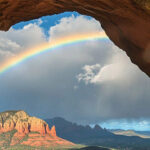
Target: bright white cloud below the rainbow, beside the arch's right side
{"x":119,"y":68}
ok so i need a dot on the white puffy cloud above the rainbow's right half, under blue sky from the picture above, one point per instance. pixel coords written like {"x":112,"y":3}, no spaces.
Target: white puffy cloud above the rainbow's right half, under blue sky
{"x":68,"y":26}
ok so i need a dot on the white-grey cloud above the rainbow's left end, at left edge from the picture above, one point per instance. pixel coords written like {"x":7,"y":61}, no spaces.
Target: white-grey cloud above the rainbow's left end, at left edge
{"x":15,"y":41}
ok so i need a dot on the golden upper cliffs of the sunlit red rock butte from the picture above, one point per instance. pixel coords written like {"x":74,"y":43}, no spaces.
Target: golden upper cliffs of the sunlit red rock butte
{"x":23,"y":123}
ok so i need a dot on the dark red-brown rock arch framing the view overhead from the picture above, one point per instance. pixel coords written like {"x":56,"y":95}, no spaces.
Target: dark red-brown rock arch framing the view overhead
{"x":126,"y":22}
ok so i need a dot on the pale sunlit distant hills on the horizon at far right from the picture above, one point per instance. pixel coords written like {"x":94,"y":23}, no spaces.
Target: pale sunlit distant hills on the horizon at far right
{"x":130,"y":133}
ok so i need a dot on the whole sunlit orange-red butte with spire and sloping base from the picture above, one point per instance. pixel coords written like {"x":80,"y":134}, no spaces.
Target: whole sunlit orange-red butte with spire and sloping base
{"x":29,"y":130}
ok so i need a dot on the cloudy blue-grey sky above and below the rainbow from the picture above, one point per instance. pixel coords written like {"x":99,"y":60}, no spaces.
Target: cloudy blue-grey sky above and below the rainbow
{"x":93,"y":82}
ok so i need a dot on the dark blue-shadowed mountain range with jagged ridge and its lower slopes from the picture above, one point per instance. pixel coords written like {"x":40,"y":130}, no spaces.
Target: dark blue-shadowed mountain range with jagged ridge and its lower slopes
{"x":96,"y":136}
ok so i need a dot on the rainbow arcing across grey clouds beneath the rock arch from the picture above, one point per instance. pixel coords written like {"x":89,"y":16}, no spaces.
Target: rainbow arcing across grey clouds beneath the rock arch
{"x":8,"y":64}
